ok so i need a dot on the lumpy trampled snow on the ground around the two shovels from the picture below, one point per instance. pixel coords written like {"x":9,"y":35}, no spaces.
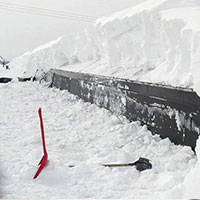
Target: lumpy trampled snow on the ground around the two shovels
{"x":84,"y":135}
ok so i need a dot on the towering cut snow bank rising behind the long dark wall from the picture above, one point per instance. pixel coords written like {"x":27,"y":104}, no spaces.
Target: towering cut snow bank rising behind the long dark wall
{"x":157,"y":41}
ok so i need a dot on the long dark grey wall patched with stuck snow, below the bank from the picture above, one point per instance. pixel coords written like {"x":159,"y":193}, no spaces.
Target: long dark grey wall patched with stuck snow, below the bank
{"x":167,"y":111}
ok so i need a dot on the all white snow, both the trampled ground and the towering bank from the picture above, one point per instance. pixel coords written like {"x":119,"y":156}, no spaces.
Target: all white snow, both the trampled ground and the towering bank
{"x":157,"y":41}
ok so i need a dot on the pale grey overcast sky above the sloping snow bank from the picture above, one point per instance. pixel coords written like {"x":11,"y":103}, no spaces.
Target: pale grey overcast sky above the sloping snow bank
{"x":21,"y":32}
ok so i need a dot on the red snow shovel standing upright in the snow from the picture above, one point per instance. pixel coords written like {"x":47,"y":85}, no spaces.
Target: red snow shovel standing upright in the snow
{"x":43,"y":162}
